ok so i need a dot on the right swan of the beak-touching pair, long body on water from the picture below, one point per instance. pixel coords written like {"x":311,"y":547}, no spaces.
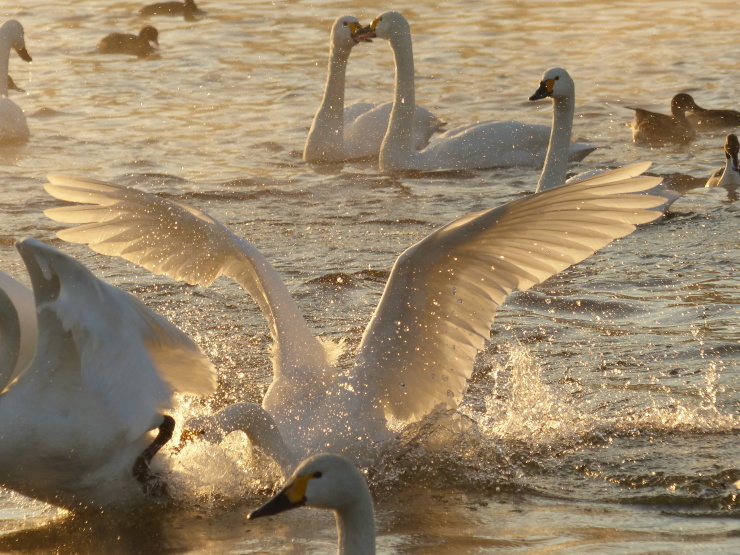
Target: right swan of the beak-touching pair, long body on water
{"x":481,"y":145}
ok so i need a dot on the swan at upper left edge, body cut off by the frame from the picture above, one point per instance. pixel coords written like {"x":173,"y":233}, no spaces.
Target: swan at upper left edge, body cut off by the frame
{"x":13,"y":126}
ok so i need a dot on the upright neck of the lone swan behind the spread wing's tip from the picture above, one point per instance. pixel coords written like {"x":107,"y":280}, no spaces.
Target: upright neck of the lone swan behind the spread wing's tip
{"x":556,"y":162}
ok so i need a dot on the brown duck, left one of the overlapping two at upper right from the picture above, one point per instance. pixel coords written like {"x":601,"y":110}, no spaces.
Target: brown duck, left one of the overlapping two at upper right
{"x":655,"y":129}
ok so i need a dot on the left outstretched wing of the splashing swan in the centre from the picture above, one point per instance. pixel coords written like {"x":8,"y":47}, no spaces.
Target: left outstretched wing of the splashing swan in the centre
{"x":180,"y":241}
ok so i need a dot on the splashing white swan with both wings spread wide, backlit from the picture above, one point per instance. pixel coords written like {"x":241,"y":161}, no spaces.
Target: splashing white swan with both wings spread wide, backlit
{"x":434,"y":316}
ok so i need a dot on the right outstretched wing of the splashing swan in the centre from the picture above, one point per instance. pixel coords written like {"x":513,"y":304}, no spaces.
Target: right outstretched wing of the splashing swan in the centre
{"x":440,"y":300}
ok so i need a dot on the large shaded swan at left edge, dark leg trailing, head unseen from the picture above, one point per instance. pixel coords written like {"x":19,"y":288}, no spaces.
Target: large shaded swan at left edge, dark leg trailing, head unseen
{"x":75,"y":424}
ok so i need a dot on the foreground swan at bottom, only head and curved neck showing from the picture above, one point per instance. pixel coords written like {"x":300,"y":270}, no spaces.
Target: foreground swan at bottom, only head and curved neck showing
{"x":327,"y":481}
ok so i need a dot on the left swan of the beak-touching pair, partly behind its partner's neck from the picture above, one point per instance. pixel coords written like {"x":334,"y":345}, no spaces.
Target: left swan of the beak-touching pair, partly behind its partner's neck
{"x":340,"y":133}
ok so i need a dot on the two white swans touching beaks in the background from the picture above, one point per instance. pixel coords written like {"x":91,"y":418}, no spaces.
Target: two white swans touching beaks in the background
{"x":398,"y":131}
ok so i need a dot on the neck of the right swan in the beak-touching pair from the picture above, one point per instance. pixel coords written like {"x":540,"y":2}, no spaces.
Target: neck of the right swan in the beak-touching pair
{"x":398,"y":138}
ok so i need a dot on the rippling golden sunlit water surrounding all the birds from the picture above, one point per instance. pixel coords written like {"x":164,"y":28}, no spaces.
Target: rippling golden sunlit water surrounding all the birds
{"x":603,"y":417}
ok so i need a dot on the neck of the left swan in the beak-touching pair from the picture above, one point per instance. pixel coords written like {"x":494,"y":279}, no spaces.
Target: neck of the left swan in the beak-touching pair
{"x":325,"y":140}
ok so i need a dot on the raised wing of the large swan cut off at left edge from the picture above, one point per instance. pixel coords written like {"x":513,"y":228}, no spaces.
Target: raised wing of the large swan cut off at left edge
{"x":131,"y":358}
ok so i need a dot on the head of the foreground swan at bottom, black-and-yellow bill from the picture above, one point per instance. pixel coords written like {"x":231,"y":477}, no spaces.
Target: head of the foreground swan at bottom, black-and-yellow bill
{"x":323,"y":481}
